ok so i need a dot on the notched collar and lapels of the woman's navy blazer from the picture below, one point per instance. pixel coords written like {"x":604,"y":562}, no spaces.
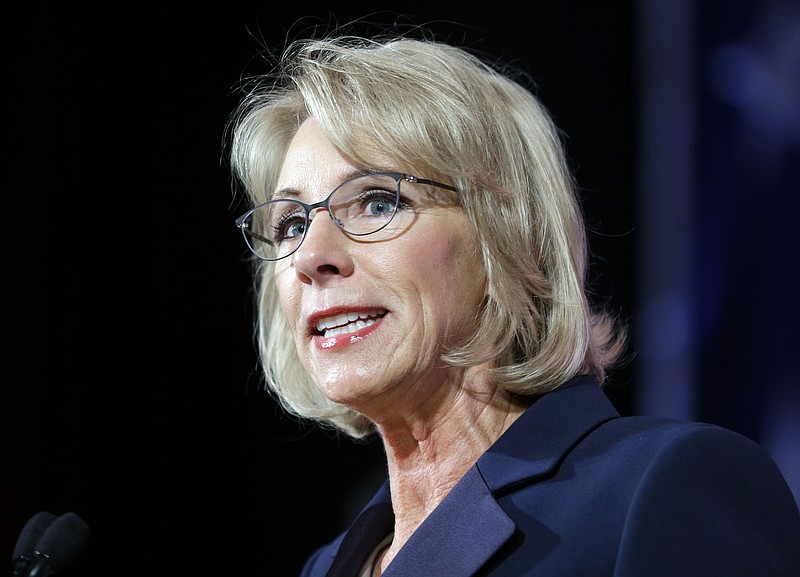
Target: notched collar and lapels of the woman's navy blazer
{"x":469,"y":526}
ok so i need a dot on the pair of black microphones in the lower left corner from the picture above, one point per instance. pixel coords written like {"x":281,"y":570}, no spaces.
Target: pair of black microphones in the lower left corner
{"x":58,"y":542}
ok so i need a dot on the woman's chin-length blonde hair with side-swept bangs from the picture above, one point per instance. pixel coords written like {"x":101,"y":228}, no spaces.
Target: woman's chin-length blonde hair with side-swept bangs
{"x":446,"y":114}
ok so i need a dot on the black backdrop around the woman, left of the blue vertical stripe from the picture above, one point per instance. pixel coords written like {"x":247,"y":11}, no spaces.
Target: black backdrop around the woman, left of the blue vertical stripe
{"x":130,"y":392}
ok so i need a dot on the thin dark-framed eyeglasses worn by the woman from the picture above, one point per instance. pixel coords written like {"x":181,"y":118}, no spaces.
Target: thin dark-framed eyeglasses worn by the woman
{"x":360,"y":206}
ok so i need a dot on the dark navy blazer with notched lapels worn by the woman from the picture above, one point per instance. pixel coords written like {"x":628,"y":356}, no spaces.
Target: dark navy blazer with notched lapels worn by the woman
{"x":573,"y":489}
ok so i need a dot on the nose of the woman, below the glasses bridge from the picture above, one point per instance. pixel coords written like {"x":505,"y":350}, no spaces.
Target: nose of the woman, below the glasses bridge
{"x":323,"y":254}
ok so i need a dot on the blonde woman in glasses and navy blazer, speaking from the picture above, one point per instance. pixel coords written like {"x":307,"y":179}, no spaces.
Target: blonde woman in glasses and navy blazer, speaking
{"x":421,"y":270}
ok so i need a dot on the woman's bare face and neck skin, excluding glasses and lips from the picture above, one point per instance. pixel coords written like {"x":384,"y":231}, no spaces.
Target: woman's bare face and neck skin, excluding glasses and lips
{"x":435,"y":420}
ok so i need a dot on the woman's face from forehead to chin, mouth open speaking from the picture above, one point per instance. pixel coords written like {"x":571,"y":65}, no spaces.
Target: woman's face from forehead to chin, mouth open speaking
{"x":406,"y":298}
